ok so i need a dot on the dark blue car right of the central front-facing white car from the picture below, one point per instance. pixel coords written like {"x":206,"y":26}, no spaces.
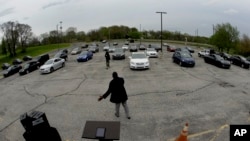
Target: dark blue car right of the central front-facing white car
{"x":183,"y":58}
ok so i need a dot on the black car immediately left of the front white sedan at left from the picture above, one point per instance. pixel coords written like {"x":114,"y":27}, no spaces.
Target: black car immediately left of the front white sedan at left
{"x":29,"y":67}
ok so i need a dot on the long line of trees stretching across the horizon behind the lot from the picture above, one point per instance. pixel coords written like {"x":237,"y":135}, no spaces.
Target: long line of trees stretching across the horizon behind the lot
{"x":18,"y":35}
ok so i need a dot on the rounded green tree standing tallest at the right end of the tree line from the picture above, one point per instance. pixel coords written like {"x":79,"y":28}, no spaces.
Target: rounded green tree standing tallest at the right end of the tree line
{"x":226,"y":37}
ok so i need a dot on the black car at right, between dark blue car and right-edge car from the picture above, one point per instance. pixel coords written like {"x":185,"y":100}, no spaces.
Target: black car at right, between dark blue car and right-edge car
{"x":217,"y":60}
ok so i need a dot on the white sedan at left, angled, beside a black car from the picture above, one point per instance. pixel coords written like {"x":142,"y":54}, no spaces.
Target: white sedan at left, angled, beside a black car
{"x":52,"y":65}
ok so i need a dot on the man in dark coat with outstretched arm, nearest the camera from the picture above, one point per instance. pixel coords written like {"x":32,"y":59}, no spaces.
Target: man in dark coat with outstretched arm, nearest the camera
{"x":118,"y":94}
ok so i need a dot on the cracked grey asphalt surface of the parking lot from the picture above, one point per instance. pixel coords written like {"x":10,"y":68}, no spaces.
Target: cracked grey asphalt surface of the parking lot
{"x":161,"y":99}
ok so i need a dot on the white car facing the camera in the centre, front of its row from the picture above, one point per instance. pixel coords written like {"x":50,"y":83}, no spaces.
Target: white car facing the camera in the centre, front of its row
{"x":139,"y":60}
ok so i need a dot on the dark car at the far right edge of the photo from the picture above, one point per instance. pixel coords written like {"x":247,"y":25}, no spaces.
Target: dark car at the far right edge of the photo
{"x":240,"y":61}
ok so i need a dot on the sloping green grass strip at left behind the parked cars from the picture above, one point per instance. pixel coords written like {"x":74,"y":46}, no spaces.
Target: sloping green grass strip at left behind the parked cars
{"x":32,"y":51}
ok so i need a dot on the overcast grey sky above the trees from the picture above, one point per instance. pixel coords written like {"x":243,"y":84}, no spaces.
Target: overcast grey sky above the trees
{"x":186,"y":16}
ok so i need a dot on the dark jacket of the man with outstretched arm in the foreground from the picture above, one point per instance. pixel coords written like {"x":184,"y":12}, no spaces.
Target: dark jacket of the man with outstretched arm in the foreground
{"x":117,"y":91}
